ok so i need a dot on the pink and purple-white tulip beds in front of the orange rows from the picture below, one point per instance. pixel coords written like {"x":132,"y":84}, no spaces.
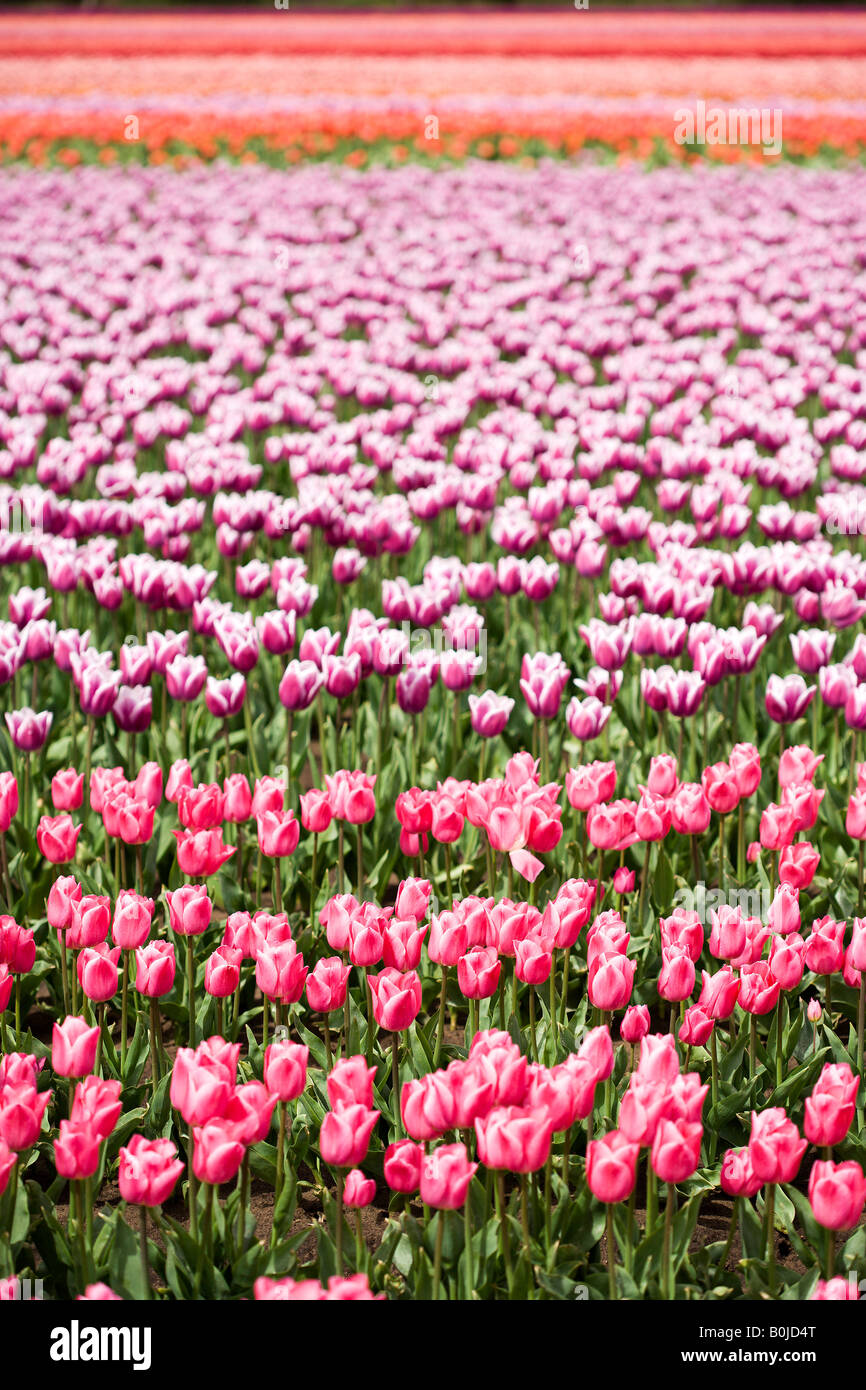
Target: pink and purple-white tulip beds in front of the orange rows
{"x":433,"y":790}
